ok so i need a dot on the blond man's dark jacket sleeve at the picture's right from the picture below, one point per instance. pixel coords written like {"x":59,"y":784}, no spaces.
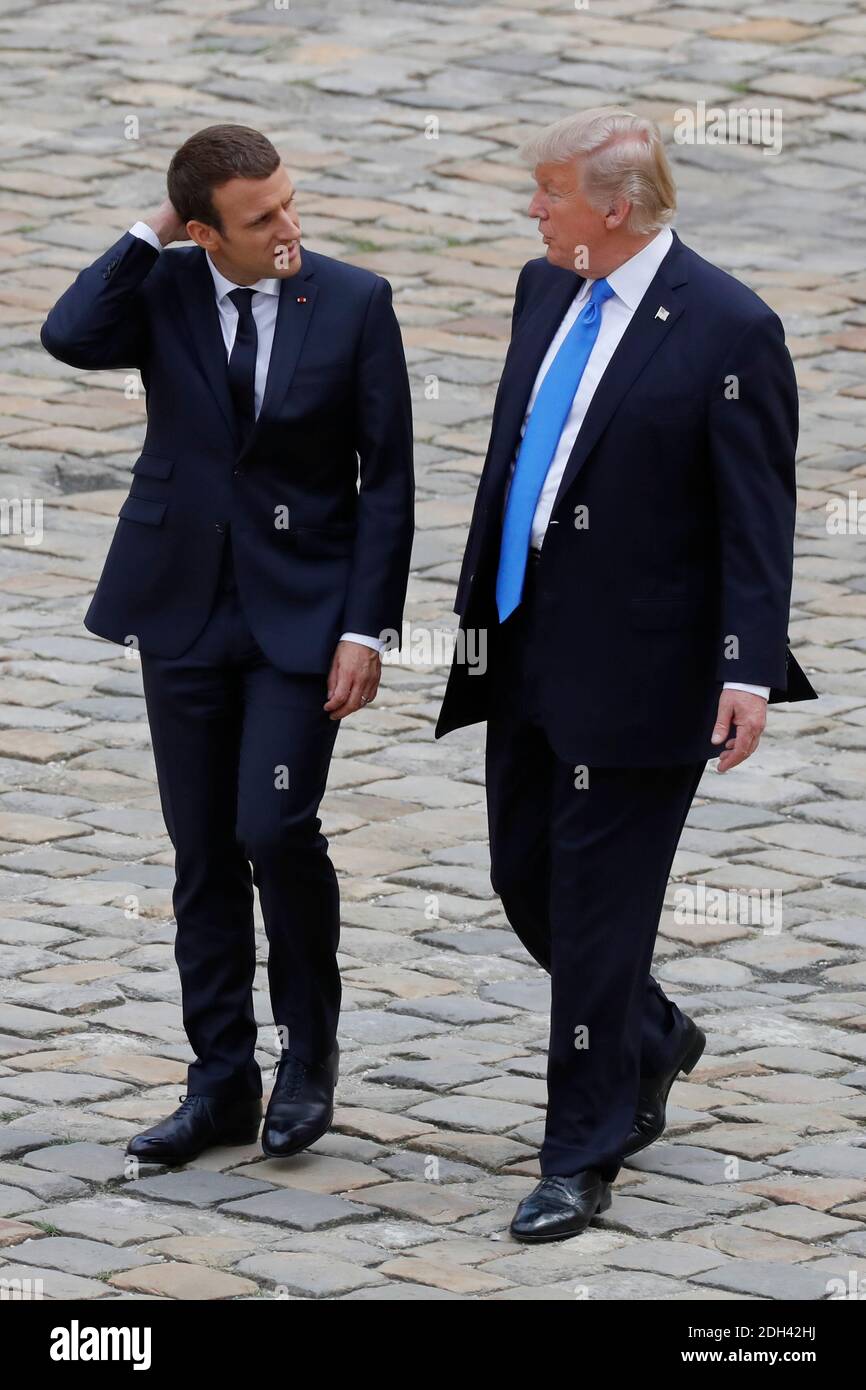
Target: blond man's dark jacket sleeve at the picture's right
{"x":753,"y":443}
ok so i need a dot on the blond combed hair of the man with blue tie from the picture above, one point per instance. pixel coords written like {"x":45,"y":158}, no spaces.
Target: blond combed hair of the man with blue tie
{"x":622,"y":156}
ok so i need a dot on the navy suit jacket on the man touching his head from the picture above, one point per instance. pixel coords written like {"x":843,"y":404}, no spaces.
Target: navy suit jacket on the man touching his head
{"x":315,"y":555}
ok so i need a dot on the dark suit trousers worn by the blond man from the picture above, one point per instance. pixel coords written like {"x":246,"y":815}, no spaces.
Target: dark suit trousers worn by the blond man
{"x":582,"y":874}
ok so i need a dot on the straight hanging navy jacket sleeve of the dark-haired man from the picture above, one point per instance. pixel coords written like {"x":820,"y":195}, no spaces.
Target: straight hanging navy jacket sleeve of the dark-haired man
{"x":386,"y":525}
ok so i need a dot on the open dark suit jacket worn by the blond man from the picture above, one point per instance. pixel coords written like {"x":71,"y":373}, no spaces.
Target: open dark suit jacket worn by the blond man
{"x":667,"y":566}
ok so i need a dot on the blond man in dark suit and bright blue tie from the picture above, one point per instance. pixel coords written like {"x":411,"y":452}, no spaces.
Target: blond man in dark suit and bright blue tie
{"x":630,"y":559}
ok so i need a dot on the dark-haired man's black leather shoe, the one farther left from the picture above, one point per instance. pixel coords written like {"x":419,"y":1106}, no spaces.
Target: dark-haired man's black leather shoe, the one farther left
{"x":201,"y":1122}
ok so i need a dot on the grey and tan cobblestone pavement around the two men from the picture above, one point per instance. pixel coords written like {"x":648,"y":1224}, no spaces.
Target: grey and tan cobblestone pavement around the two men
{"x":760,"y":1186}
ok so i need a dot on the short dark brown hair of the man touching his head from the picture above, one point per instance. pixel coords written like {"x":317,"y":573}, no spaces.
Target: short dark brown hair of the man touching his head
{"x":212,"y":158}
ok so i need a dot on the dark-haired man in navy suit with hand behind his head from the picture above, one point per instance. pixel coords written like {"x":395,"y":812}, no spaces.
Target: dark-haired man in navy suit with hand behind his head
{"x":262,"y":551}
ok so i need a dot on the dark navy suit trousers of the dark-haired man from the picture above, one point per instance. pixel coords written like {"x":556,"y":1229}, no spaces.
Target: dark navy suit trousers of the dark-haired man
{"x":243,"y":754}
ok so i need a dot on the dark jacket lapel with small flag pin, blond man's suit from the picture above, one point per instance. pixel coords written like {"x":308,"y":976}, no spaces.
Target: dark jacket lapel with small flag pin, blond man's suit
{"x":642,"y":340}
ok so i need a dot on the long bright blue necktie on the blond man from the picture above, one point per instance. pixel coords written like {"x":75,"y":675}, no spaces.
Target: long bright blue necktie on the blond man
{"x":539,"y":445}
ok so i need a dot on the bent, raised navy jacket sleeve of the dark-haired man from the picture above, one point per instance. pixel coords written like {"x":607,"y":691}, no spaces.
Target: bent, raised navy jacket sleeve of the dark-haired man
{"x":101,"y":320}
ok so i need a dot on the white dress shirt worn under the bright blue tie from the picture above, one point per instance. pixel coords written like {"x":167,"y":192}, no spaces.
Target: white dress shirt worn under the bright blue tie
{"x":629,"y":283}
